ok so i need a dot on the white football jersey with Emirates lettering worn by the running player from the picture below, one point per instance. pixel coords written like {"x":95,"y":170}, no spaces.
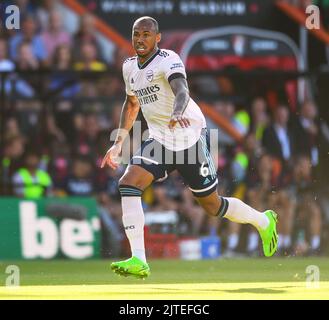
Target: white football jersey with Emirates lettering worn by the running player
{"x":150,"y":84}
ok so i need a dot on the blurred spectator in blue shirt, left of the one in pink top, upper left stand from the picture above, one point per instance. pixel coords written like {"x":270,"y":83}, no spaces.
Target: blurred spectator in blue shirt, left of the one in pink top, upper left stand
{"x":28,"y":33}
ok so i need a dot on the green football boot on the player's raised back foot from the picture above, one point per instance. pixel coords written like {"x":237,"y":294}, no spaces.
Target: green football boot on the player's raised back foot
{"x":269,"y":235}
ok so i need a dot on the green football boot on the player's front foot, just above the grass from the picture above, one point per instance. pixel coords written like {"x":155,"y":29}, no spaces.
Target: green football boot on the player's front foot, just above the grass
{"x":131,"y":267}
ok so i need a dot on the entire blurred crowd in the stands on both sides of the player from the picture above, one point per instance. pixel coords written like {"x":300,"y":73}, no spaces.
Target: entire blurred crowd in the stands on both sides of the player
{"x":58,"y":124}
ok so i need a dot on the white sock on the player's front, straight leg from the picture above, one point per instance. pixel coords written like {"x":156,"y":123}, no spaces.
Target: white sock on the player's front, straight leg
{"x":133,"y":221}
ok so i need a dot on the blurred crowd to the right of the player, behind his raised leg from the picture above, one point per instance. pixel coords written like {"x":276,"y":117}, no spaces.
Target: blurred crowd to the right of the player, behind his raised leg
{"x":278,"y":166}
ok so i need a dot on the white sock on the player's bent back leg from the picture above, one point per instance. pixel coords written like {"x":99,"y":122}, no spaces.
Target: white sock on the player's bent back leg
{"x":238,"y":211}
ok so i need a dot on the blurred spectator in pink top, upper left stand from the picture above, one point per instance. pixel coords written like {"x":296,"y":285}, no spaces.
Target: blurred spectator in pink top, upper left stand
{"x":55,"y":36}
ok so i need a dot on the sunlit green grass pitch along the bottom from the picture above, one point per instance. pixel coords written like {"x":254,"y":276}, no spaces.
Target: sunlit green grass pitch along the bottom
{"x":272,"y":278}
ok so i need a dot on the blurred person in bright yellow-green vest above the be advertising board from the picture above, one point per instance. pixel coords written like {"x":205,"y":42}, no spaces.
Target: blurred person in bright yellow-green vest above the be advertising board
{"x":30,"y":181}
